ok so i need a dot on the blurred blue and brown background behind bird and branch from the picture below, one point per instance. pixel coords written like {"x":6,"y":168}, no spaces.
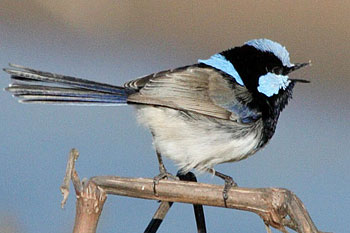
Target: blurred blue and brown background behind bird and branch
{"x":115,"y":41}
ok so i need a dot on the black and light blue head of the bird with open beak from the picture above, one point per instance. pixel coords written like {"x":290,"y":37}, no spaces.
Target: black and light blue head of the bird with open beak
{"x":261,"y":65}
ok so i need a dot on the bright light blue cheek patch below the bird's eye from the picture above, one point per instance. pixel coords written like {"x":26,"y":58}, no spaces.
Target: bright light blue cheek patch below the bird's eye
{"x":270,"y":84}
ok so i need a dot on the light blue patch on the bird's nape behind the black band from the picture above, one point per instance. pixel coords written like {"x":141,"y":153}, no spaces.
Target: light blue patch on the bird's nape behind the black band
{"x":221,"y":63}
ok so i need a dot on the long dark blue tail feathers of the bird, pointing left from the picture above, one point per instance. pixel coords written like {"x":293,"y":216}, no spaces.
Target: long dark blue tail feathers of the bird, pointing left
{"x":33,"y":86}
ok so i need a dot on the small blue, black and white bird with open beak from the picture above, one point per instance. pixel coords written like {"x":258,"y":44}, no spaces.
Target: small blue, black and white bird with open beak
{"x":221,"y":109}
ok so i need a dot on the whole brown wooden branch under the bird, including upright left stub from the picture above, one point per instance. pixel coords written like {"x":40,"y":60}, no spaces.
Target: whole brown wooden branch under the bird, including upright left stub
{"x":278,"y":207}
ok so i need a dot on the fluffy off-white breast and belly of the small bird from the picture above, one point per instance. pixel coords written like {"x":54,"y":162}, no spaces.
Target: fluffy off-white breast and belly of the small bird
{"x":197,"y":141}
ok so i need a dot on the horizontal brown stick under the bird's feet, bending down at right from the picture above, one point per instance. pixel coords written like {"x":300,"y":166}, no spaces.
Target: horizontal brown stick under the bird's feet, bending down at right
{"x":273,"y":205}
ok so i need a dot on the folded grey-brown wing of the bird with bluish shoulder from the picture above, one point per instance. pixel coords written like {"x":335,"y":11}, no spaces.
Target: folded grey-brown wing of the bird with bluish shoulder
{"x":202,"y":90}
